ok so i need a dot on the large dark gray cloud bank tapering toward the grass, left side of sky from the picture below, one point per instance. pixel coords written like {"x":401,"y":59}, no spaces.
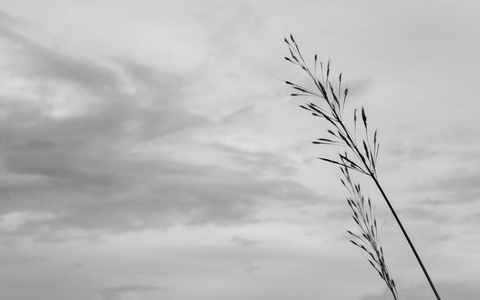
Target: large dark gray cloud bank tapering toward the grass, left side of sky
{"x":90,"y":169}
